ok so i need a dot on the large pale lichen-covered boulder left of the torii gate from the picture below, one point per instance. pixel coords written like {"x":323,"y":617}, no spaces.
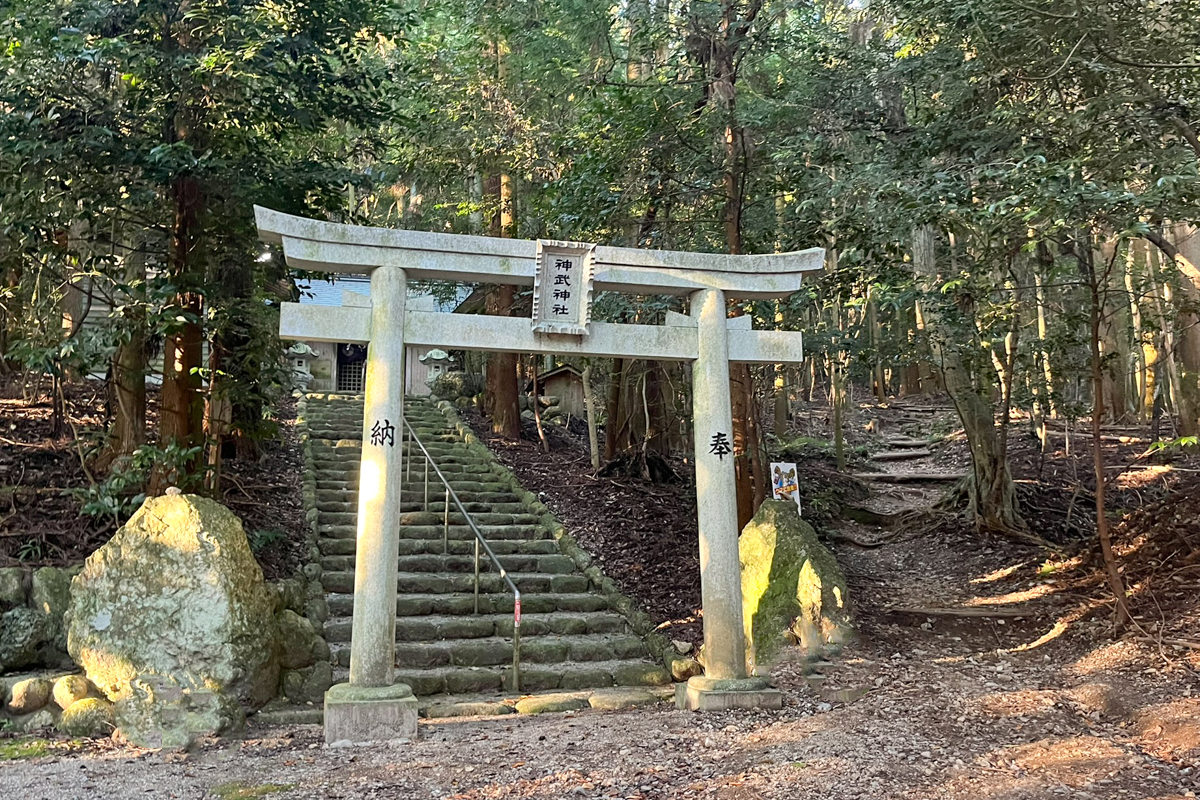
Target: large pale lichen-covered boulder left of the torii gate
{"x":173,"y":622}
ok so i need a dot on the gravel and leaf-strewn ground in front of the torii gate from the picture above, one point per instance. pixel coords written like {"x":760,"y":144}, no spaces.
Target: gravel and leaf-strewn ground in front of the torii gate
{"x":992,"y":729}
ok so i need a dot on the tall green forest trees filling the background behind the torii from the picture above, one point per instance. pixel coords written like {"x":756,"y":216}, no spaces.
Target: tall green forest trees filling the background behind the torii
{"x":1007,"y":193}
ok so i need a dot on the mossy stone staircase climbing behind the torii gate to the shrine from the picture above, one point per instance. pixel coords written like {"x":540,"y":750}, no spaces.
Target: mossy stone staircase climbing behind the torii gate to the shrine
{"x":572,"y":639}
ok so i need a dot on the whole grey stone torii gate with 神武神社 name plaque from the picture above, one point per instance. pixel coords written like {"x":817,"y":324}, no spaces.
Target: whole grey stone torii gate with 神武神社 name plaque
{"x":565,"y":275}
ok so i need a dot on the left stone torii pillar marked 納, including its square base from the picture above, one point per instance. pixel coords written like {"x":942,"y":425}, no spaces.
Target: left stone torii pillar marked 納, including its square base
{"x":371,"y":707}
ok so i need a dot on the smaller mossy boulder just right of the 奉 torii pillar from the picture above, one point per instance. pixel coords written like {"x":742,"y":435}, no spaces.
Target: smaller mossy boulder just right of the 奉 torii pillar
{"x":793,"y":590}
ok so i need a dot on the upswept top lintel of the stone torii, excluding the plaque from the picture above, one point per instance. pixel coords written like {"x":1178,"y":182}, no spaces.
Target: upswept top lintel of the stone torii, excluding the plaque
{"x":334,"y":248}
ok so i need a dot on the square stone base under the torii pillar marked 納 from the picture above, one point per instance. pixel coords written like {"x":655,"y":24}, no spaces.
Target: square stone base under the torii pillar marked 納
{"x":376,"y":714}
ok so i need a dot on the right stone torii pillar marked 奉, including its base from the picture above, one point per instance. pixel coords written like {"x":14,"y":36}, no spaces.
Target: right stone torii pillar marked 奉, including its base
{"x":725,"y":683}
